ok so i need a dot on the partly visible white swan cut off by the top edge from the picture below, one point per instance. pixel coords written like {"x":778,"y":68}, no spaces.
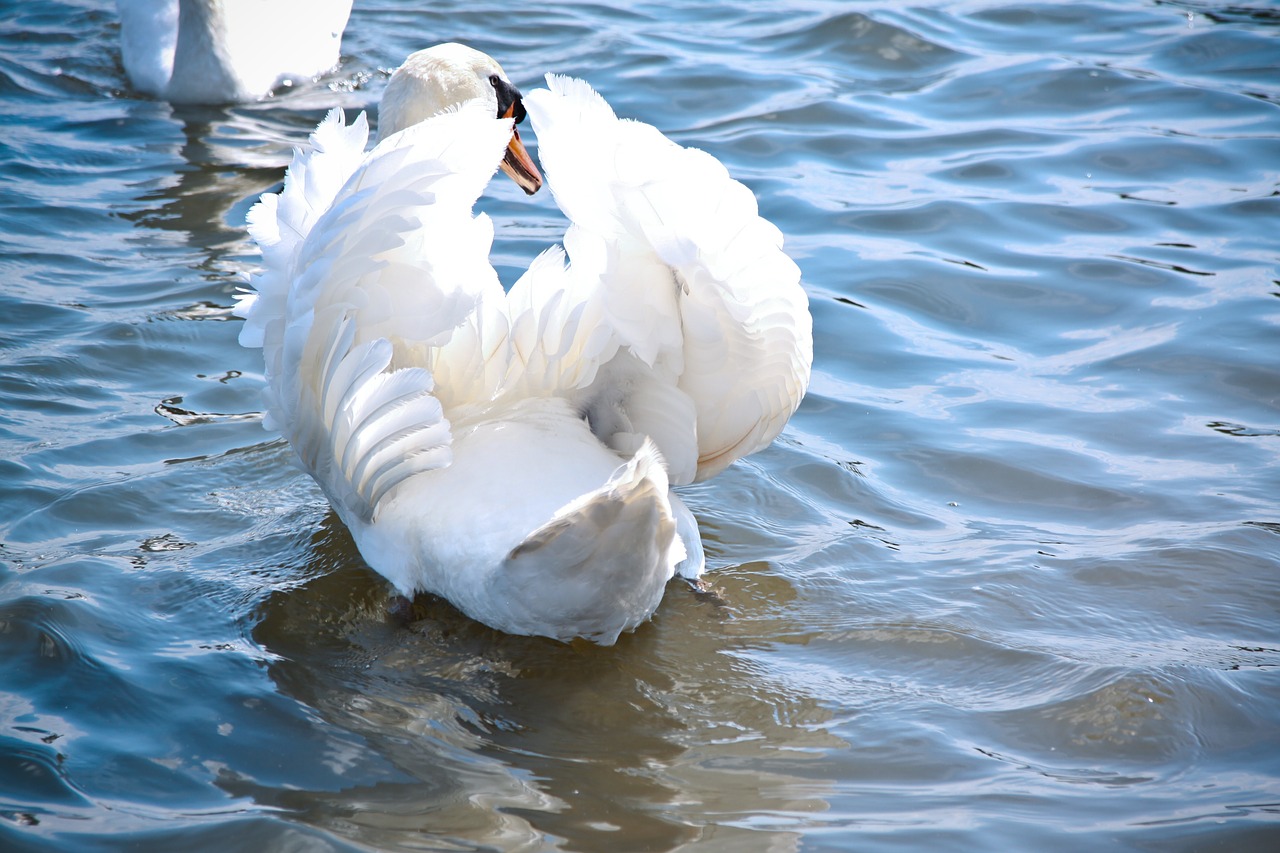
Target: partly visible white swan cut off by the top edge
{"x":226,"y":52}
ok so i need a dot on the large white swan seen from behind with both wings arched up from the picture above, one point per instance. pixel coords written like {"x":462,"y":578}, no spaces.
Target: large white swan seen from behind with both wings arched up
{"x":515,"y":453}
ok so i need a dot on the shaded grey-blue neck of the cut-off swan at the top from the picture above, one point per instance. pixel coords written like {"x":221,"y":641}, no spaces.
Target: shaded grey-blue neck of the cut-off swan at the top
{"x":203,"y":69}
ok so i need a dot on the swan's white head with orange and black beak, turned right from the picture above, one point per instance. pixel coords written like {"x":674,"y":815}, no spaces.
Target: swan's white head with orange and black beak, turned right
{"x":446,"y":76}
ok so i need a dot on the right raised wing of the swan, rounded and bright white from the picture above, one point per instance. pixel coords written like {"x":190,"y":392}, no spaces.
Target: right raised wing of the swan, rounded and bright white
{"x":714,"y":327}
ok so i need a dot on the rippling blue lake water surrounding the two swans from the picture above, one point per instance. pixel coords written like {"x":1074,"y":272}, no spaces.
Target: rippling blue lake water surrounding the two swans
{"x":1011,"y":580}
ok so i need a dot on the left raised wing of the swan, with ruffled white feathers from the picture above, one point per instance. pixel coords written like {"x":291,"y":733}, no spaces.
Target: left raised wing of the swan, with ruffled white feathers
{"x":376,"y":290}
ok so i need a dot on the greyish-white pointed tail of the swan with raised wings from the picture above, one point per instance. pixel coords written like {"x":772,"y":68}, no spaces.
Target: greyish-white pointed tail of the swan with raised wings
{"x":600,"y":568}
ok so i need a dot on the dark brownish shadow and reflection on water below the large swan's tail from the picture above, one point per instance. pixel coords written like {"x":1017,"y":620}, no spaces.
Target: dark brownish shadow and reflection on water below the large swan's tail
{"x":510,"y":742}
